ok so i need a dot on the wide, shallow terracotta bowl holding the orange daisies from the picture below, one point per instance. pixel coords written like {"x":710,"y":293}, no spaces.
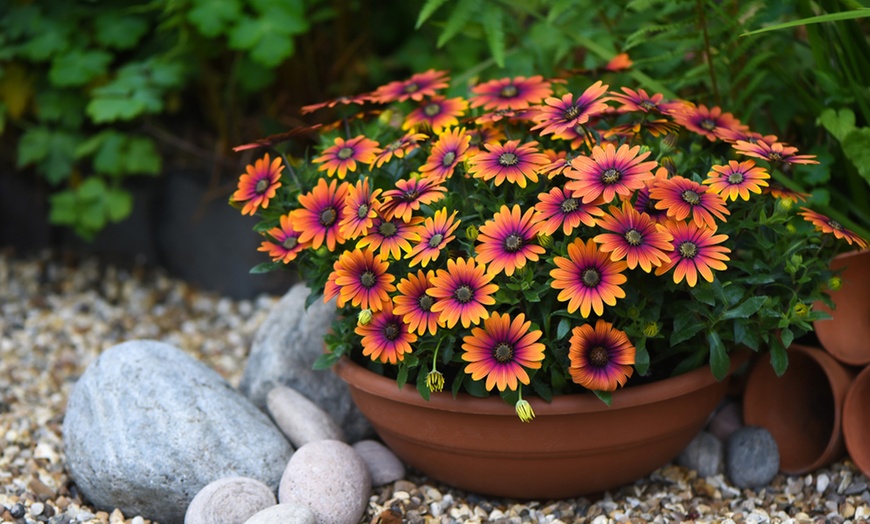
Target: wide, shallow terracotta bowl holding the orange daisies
{"x":575,"y":446}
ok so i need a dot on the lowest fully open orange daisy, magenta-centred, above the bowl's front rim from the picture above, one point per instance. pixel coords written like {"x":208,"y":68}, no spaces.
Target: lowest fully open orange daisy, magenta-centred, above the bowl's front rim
{"x":502,"y":350}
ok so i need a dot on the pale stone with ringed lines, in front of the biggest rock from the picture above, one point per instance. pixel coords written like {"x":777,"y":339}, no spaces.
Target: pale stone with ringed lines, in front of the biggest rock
{"x":231,"y":500}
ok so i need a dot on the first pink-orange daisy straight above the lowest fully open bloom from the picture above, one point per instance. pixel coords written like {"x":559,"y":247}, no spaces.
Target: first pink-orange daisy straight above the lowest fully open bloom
{"x":506,"y":240}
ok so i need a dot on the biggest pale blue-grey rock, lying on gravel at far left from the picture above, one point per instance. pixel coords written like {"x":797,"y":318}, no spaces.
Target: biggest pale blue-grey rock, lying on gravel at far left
{"x":147,"y":427}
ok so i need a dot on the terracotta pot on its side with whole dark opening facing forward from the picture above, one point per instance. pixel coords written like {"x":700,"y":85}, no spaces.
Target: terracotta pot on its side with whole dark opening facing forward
{"x":802,"y":409}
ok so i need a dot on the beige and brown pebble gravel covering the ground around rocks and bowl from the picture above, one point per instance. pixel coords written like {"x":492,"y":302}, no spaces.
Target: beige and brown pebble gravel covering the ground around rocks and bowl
{"x":59,"y":313}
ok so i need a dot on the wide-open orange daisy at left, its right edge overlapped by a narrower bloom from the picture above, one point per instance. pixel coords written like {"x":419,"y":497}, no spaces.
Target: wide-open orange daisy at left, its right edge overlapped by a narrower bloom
{"x":318,"y":219}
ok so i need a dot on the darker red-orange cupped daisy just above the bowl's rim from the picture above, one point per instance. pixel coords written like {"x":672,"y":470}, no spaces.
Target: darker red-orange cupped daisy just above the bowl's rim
{"x":601,"y":358}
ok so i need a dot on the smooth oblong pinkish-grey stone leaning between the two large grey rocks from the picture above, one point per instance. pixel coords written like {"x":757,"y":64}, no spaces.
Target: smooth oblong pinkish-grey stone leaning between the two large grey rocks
{"x":301,"y":420}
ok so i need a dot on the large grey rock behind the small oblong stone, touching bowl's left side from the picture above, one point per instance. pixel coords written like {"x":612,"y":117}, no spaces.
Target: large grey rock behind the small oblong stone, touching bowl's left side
{"x":283,"y":353}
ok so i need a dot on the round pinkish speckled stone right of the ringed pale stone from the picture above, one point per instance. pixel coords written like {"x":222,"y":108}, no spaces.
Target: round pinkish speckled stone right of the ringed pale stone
{"x":330,"y":478}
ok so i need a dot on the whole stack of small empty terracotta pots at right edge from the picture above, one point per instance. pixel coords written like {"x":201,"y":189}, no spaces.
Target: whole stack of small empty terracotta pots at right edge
{"x":819,"y":408}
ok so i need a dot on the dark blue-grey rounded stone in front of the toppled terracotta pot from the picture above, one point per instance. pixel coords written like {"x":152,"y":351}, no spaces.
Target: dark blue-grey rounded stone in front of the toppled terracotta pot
{"x":751,"y":457}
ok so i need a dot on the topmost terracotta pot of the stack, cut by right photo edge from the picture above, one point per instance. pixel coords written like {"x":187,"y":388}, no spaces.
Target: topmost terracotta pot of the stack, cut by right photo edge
{"x":847,"y":335}
